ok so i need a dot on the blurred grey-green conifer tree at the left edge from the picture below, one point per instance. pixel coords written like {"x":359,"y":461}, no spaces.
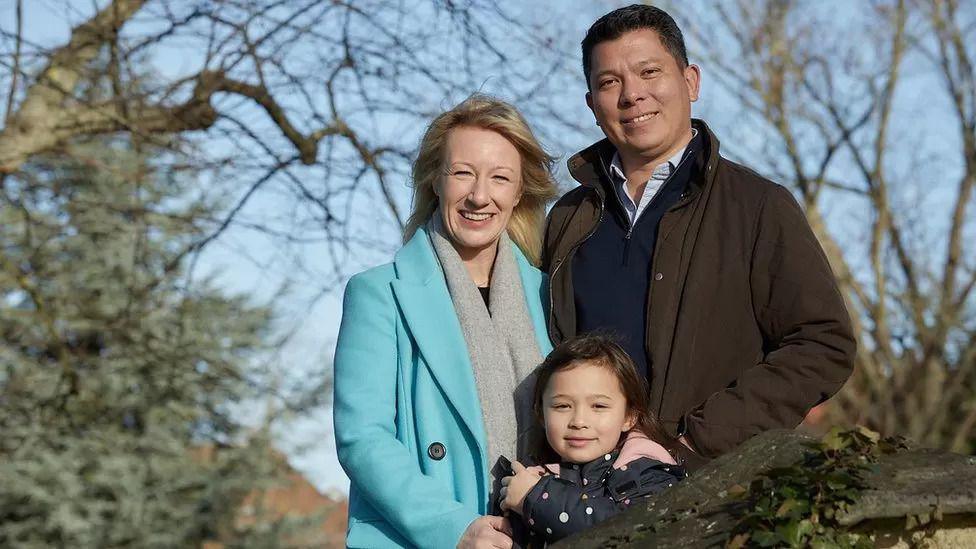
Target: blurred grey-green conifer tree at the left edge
{"x":118,"y":375}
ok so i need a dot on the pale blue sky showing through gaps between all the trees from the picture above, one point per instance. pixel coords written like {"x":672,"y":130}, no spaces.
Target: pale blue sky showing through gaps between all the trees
{"x":243,"y":261}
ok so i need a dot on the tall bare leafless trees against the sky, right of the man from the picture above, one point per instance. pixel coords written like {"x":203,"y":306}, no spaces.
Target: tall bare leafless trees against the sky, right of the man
{"x":868,"y":111}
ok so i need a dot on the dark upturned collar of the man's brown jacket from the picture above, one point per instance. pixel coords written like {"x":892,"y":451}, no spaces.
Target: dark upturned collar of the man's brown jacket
{"x":588,"y":166}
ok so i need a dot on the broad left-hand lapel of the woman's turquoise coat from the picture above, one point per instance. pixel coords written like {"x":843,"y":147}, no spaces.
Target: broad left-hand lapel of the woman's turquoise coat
{"x":428,"y":311}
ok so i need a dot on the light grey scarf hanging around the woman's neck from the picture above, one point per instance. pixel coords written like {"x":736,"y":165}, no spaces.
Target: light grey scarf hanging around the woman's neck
{"x":502,"y":346}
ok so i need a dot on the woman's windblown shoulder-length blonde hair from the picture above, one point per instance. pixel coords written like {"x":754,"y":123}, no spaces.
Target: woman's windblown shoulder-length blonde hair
{"x":538,"y":187}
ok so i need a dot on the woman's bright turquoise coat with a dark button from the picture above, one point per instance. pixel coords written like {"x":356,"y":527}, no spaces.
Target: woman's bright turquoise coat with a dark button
{"x":403,"y":380}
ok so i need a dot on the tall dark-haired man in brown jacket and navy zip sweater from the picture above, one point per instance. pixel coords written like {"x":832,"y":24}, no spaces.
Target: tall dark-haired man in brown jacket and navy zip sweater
{"x":708,"y":273}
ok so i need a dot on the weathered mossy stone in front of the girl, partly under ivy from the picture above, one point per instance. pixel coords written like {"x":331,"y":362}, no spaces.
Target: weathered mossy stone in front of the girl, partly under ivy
{"x":909,"y":497}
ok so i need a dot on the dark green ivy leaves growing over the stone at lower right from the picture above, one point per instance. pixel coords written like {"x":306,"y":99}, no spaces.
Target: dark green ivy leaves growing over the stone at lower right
{"x":798,"y":506}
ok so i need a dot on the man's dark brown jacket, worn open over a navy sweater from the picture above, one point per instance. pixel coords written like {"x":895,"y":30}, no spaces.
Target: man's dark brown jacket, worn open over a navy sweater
{"x":746,"y":328}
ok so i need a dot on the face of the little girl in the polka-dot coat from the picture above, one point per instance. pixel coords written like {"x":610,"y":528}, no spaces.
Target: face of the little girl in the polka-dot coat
{"x":585,"y":412}
